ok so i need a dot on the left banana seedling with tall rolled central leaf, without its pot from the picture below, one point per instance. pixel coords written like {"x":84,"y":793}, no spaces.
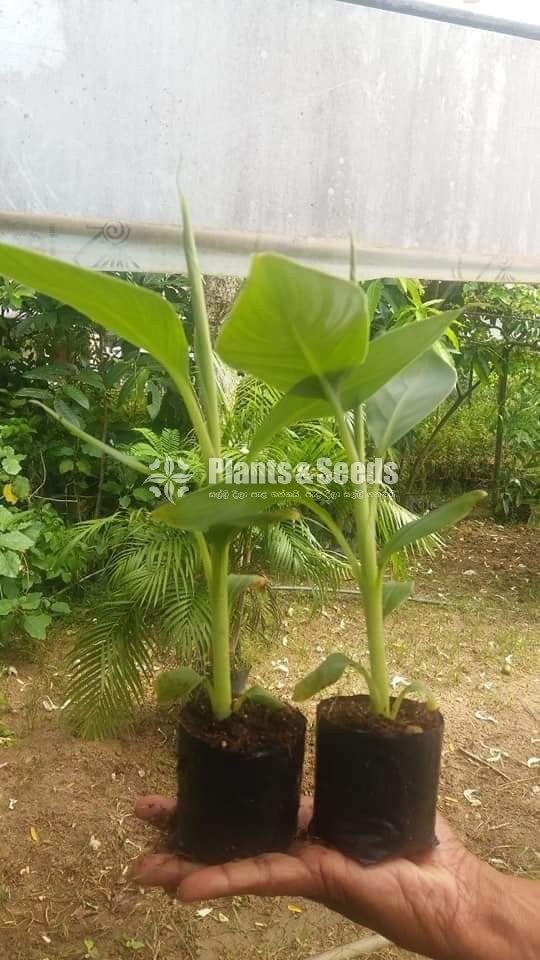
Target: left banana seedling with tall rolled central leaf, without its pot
{"x":149,"y":322}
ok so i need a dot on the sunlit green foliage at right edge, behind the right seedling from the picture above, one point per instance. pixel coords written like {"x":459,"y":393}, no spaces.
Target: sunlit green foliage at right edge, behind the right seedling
{"x":487,"y":433}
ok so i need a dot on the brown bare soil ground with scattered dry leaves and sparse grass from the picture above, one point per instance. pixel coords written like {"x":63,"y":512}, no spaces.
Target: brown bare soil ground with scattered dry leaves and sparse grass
{"x":68,"y":834}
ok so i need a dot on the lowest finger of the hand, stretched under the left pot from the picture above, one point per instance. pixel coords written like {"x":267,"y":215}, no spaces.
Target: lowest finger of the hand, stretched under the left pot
{"x":269,"y":875}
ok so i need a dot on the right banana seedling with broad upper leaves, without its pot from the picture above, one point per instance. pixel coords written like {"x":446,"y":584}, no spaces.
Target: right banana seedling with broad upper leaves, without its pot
{"x":307,"y":334}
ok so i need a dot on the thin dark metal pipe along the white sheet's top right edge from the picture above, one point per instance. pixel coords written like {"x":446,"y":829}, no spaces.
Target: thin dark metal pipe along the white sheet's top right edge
{"x":463,"y":18}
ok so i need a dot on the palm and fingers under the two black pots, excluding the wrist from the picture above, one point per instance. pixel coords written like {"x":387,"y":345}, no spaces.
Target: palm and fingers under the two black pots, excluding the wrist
{"x":419,"y":905}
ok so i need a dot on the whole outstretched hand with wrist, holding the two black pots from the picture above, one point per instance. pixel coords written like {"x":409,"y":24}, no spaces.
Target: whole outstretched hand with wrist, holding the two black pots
{"x":447,"y":905}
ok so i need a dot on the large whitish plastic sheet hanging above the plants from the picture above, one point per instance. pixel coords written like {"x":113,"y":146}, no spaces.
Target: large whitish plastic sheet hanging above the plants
{"x":288,"y":124}
